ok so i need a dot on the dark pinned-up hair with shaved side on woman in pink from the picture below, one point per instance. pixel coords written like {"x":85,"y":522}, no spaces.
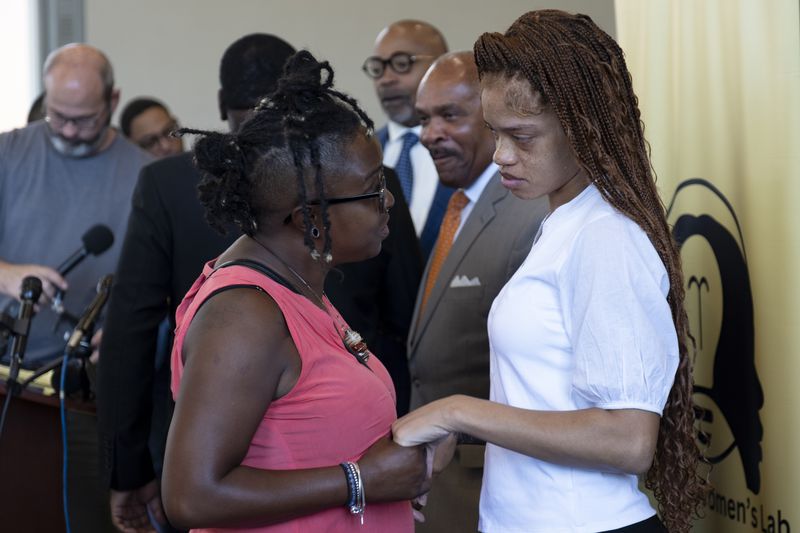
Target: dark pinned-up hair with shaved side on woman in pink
{"x":280,"y":155}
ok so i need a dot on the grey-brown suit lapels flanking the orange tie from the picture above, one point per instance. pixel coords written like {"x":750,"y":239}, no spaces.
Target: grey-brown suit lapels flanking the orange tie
{"x":482,"y":214}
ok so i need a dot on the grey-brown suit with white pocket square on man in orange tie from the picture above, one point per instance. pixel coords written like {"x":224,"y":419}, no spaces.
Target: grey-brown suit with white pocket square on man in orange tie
{"x":448,"y":346}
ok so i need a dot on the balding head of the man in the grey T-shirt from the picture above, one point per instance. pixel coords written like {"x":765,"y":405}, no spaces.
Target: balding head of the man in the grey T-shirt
{"x":80,"y":99}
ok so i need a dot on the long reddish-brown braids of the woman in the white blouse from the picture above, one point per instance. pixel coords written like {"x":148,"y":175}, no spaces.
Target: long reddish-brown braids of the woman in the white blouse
{"x":580,"y":71}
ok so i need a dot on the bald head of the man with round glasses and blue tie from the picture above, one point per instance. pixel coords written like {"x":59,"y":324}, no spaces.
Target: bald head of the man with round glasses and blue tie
{"x":417,"y":44}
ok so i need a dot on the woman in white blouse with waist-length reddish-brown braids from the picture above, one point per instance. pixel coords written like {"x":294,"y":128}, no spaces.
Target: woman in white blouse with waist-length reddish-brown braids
{"x":590,"y":371}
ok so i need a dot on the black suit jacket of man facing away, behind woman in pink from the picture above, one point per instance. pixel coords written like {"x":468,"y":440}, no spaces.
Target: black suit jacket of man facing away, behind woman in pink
{"x":166,"y":245}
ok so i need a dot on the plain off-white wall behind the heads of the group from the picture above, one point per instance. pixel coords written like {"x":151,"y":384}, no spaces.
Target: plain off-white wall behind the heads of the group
{"x":171,"y":48}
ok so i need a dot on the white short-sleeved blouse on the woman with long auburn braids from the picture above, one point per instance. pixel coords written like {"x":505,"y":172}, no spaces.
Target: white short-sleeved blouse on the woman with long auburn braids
{"x":583,"y":323}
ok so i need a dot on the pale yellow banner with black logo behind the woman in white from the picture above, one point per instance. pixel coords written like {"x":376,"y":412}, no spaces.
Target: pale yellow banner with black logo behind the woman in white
{"x":719,"y":88}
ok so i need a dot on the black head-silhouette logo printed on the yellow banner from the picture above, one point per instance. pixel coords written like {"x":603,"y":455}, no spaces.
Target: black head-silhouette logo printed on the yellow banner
{"x":718,"y":293}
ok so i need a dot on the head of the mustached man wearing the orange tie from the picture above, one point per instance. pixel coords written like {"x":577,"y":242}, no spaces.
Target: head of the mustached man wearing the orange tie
{"x":453,"y":130}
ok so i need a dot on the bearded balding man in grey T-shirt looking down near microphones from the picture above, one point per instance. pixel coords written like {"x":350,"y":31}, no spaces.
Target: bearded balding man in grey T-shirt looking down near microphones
{"x":59,"y":177}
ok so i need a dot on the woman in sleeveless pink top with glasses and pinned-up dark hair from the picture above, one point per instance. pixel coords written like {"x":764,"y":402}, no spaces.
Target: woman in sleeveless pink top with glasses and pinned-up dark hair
{"x":283,"y":416}
